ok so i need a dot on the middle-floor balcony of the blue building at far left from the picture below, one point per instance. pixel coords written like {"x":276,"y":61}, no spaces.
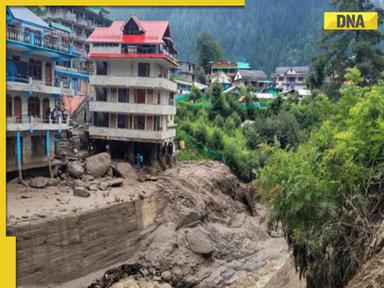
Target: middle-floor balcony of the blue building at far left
{"x":38,"y":86}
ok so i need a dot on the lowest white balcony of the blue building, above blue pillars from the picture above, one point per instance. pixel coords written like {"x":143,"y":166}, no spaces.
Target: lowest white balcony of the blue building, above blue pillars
{"x":30,"y":123}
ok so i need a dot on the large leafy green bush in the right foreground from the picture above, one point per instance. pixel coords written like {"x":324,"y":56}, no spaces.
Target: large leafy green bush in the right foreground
{"x":327,"y":194}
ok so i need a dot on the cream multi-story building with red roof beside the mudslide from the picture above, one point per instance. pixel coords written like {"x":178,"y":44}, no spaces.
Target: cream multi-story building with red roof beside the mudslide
{"x":133,"y":100}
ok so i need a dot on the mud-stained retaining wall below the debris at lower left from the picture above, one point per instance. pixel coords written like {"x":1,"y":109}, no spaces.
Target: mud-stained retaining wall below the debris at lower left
{"x":64,"y":249}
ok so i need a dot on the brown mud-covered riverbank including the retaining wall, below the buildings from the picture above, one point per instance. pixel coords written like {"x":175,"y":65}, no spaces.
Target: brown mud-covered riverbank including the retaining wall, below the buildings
{"x":189,"y":221}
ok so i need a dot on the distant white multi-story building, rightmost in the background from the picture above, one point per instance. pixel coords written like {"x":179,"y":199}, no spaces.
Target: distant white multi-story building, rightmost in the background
{"x":290,"y":78}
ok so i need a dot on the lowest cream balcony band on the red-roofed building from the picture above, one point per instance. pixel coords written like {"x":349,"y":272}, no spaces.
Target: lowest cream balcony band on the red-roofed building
{"x":131,"y":134}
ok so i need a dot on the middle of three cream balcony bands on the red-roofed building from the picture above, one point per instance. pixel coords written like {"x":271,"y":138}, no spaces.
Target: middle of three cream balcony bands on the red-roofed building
{"x":132,"y":108}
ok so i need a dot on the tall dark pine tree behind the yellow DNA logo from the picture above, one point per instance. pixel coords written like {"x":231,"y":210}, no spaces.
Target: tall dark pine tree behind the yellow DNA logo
{"x":345,"y":49}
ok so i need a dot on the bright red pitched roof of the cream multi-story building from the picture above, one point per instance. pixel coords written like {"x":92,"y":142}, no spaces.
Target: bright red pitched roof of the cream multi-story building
{"x":153,"y":33}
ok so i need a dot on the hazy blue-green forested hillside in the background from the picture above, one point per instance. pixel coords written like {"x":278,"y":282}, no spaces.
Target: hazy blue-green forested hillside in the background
{"x":265,"y":33}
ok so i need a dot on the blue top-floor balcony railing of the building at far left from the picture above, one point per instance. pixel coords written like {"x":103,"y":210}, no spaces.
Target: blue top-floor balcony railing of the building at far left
{"x":37,"y":40}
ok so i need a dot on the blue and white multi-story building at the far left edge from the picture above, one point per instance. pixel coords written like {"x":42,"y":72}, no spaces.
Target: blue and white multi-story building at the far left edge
{"x":33,"y":89}
